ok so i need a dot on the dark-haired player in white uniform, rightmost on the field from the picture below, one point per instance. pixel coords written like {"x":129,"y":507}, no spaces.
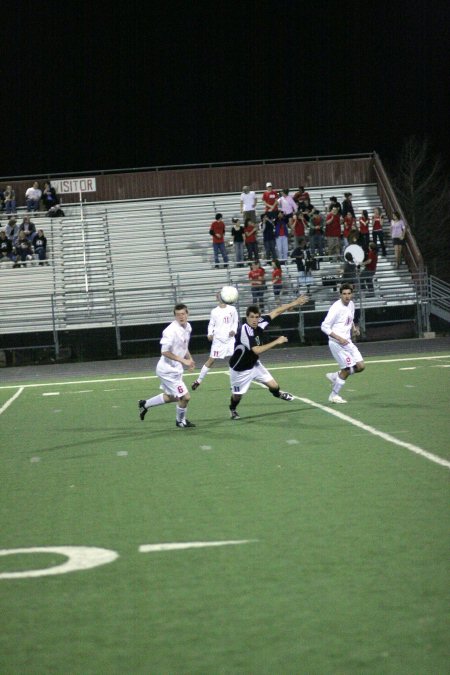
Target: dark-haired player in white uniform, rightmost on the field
{"x":339,"y":326}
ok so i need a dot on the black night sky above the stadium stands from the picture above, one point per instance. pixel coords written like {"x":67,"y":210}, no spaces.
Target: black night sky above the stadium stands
{"x":87,"y":87}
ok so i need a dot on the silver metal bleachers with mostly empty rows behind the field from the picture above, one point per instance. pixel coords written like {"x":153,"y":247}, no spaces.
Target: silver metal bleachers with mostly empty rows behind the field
{"x":126,"y":263}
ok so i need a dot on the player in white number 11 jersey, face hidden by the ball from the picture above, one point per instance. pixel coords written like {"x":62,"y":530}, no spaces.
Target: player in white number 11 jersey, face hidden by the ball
{"x":222,"y":328}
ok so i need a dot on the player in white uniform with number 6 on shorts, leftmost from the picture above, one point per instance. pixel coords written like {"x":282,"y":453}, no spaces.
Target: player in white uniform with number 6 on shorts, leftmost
{"x":174,"y":356}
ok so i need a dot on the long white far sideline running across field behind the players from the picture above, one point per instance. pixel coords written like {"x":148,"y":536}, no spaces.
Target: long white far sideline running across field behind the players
{"x":217,"y":372}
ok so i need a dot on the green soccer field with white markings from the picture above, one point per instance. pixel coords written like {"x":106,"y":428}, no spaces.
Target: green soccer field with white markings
{"x":303,"y":538}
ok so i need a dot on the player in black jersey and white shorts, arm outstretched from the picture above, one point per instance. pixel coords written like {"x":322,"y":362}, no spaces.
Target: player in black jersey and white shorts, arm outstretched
{"x":245,"y":366}
